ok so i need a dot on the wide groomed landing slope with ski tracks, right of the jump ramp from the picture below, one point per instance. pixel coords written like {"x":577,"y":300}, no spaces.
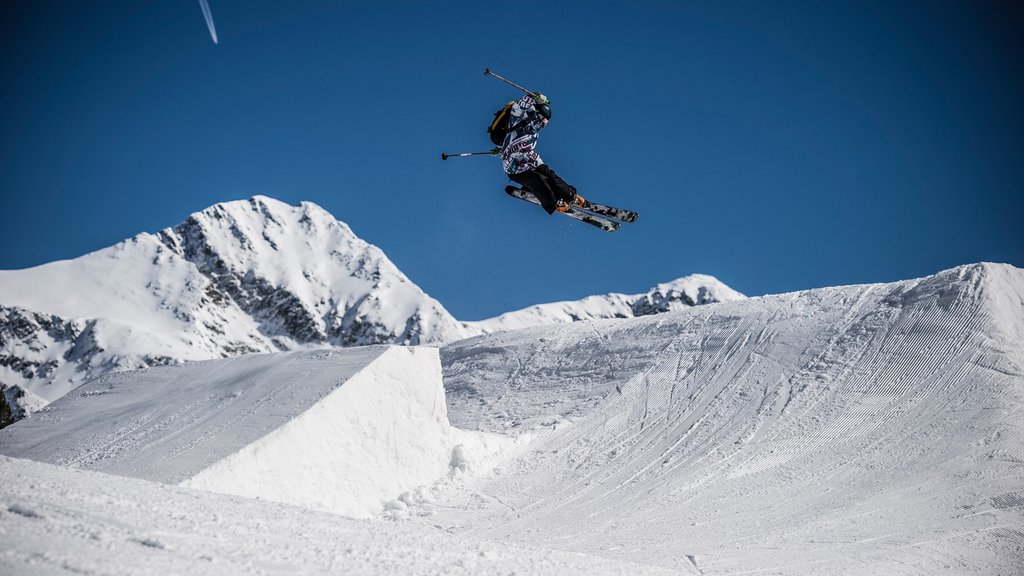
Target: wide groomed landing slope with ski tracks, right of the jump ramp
{"x":869,"y":430}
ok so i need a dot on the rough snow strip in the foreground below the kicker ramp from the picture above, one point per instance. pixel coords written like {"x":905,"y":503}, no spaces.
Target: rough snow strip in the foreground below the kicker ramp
{"x":59,"y":521}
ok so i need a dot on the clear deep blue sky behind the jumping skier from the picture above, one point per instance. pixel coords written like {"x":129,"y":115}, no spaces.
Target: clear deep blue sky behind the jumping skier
{"x":779,"y":146}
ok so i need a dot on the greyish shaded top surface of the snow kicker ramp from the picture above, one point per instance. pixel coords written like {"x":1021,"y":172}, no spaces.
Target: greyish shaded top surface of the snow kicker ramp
{"x":168,"y":424}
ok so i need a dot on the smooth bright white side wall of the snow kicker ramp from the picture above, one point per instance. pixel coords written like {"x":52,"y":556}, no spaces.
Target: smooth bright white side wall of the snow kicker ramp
{"x":385,"y":433}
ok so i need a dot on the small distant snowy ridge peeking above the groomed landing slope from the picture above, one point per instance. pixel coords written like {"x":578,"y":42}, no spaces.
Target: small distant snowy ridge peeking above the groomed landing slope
{"x":678,"y":295}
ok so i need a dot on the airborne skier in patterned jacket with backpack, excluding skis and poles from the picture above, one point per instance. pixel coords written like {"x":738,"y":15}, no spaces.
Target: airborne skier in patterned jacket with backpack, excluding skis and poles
{"x":524,"y":166}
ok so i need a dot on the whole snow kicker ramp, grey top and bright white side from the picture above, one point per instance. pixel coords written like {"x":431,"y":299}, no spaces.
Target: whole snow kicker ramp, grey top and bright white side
{"x":344,"y":430}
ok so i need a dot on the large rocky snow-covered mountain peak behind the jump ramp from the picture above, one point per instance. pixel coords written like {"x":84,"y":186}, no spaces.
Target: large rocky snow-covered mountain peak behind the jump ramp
{"x":240,"y":277}
